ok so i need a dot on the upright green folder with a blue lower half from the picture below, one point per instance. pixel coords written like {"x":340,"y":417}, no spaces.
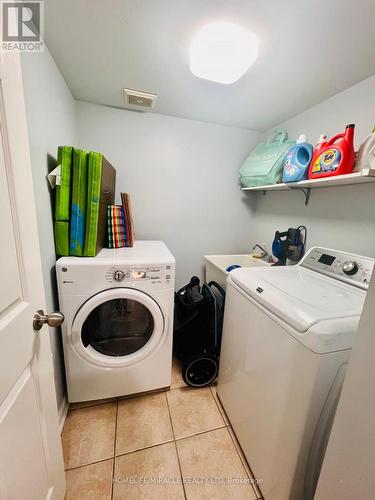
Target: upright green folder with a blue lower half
{"x":79,"y":201}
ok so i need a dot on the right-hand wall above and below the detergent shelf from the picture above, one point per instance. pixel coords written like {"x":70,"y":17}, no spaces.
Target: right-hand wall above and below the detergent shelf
{"x":341,"y":217}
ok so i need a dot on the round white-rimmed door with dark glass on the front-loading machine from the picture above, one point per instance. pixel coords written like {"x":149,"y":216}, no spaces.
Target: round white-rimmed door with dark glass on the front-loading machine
{"x":117,"y":327}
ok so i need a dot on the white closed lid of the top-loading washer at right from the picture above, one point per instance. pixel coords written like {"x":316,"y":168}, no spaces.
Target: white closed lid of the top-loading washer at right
{"x":299,"y":296}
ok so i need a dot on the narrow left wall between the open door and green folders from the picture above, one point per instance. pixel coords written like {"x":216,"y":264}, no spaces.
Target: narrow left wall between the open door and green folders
{"x":50,"y":110}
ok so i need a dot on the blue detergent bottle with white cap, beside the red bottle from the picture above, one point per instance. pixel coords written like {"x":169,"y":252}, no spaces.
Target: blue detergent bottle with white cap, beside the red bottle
{"x":297,"y":160}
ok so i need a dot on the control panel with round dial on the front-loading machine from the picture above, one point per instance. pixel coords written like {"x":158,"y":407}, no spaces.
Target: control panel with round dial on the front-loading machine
{"x":150,"y":274}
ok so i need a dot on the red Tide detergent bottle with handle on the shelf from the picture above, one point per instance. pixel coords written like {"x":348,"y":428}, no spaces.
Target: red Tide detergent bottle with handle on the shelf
{"x":335,"y":158}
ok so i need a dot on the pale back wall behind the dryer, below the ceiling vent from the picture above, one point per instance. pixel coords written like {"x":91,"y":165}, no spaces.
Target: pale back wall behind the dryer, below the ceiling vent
{"x":183,"y":178}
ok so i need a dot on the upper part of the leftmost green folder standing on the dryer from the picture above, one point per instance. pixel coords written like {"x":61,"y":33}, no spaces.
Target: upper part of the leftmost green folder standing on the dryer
{"x":62,"y":200}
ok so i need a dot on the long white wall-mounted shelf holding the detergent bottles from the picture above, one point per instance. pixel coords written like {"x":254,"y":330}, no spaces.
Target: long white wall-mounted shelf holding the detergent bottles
{"x":365,"y":176}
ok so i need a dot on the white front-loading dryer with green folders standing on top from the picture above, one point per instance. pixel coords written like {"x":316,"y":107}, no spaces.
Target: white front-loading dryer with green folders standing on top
{"x":118,"y":328}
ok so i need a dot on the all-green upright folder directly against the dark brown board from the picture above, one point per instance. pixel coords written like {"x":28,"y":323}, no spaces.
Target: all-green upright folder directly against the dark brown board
{"x":94,"y":177}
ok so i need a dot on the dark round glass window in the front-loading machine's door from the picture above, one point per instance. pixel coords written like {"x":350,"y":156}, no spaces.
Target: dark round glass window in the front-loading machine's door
{"x":118,"y":327}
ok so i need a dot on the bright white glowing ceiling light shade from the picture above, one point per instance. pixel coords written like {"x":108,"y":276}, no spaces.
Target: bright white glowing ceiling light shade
{"x":222,"y":52}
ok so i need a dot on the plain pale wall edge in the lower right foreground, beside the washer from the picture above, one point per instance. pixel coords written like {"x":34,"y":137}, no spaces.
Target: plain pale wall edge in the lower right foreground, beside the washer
{"x":348,"y":467}
